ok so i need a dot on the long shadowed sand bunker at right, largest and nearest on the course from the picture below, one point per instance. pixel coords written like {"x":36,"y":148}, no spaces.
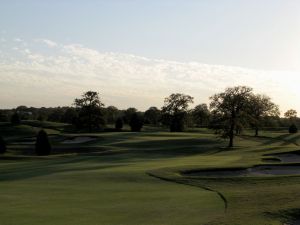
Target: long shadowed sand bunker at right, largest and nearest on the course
{"x":263,"y":170}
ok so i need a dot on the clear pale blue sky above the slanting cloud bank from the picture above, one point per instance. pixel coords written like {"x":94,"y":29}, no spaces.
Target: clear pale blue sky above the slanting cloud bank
{"x":257,"y":34}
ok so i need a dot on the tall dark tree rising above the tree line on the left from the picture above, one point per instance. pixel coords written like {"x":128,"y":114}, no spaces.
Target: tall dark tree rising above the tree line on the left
{"x":89,"y":111}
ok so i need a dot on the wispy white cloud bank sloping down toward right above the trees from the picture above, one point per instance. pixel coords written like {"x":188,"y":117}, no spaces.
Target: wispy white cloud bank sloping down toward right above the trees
{"x":126,"y":80}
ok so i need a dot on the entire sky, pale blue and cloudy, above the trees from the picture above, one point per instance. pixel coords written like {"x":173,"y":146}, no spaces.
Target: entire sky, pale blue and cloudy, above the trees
{"x":137,"y":52}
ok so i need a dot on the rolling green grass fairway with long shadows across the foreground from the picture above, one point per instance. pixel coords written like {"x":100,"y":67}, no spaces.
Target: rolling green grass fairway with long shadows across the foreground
{"x":138,"y":178}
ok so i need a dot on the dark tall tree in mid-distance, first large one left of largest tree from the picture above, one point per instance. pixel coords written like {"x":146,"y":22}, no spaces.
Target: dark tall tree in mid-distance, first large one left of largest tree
{"x":175,"y":110}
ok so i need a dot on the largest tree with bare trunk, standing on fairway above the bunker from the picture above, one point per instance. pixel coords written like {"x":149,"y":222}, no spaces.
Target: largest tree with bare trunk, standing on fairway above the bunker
{"x":230,"y":107}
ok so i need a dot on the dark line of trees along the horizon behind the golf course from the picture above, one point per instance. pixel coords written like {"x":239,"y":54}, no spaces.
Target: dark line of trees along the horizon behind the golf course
{"x":228,"y":113}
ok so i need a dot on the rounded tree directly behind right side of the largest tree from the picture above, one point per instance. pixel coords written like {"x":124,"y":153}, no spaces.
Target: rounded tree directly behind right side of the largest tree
{"x":261,"y":107}
